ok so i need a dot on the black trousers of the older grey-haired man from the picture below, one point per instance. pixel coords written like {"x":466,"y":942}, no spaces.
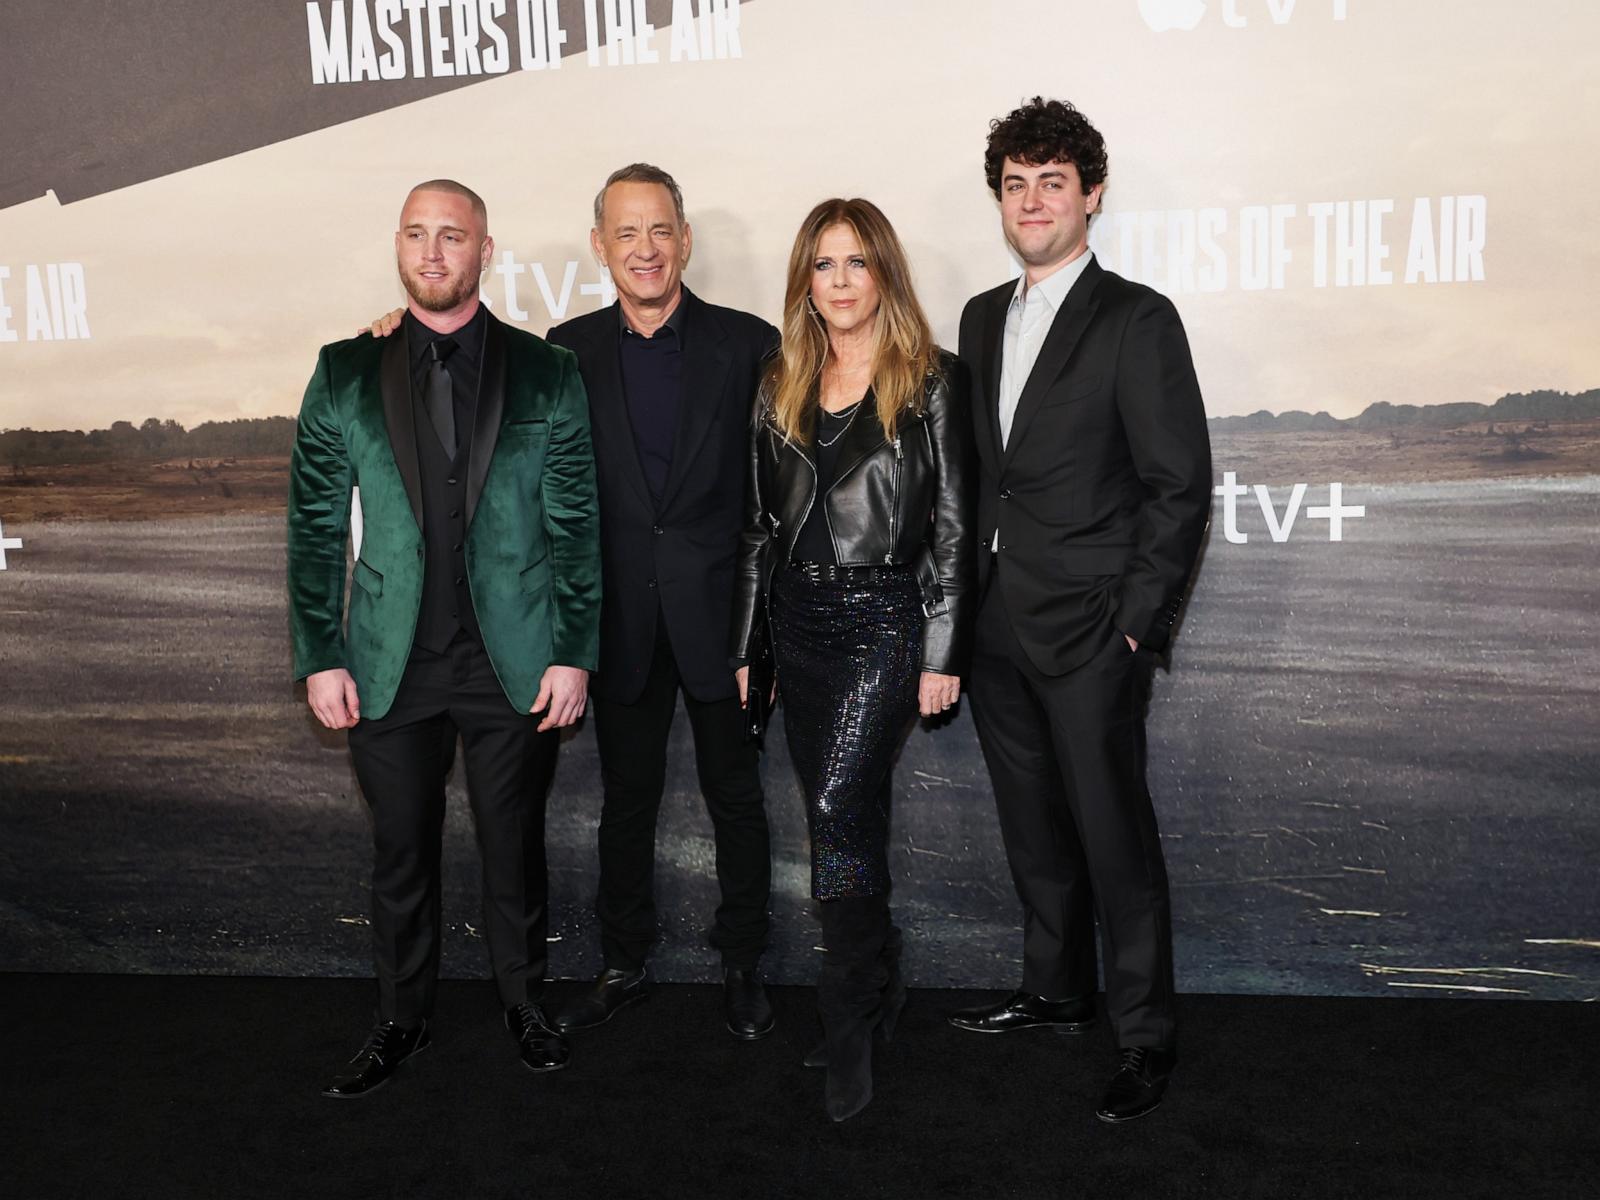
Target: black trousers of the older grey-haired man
{"x":633,"y":742}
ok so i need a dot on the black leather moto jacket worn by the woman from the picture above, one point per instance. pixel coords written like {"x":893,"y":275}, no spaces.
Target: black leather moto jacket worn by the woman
{"x":905,"y":502}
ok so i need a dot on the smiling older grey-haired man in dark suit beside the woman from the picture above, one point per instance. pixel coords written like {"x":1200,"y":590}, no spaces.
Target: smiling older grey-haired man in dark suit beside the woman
{"x":671,"y":386}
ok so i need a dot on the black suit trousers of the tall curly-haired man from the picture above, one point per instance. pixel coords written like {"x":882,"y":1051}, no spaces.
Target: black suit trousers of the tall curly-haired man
{"x":1066,"y":756}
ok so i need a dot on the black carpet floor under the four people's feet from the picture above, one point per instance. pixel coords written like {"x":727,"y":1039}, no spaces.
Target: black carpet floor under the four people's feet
{"x":207,"y":1087}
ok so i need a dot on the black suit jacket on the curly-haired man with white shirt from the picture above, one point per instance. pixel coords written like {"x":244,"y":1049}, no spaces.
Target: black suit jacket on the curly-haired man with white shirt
{"x":1103,"y":492}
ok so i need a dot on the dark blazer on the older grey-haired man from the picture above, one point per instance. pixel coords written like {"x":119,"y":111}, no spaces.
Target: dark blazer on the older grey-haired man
{"x":676,"y":561}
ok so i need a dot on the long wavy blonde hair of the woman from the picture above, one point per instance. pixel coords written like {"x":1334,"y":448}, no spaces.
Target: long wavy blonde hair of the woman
{"x":903,"y":350}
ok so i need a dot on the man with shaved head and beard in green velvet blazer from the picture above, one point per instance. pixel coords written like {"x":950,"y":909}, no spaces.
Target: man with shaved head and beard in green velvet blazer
{"x":473,"y":612}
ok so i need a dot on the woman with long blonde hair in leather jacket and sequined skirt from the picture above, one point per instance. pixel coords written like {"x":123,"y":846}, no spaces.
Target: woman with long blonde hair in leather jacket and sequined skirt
{"x":858,"y":562}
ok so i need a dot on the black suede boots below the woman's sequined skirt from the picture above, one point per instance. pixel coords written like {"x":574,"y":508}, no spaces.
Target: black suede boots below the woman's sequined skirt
{"x":850,"y":994}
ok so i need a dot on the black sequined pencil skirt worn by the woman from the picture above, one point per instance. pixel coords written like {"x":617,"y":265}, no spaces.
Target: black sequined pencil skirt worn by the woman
{"x":849,"y":660}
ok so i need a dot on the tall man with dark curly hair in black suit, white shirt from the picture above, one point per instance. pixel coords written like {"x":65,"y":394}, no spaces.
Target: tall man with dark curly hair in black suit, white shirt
{"x":1095,"y":490}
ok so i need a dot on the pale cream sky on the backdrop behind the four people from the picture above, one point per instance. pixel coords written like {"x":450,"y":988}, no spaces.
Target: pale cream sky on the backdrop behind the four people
{"x":210,"y":290}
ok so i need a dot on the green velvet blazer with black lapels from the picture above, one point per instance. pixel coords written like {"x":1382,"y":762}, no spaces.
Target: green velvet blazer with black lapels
{"x":534,"y":532}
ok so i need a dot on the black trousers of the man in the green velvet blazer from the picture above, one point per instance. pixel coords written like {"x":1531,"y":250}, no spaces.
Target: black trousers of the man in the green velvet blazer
{"x":402,"y":762}
